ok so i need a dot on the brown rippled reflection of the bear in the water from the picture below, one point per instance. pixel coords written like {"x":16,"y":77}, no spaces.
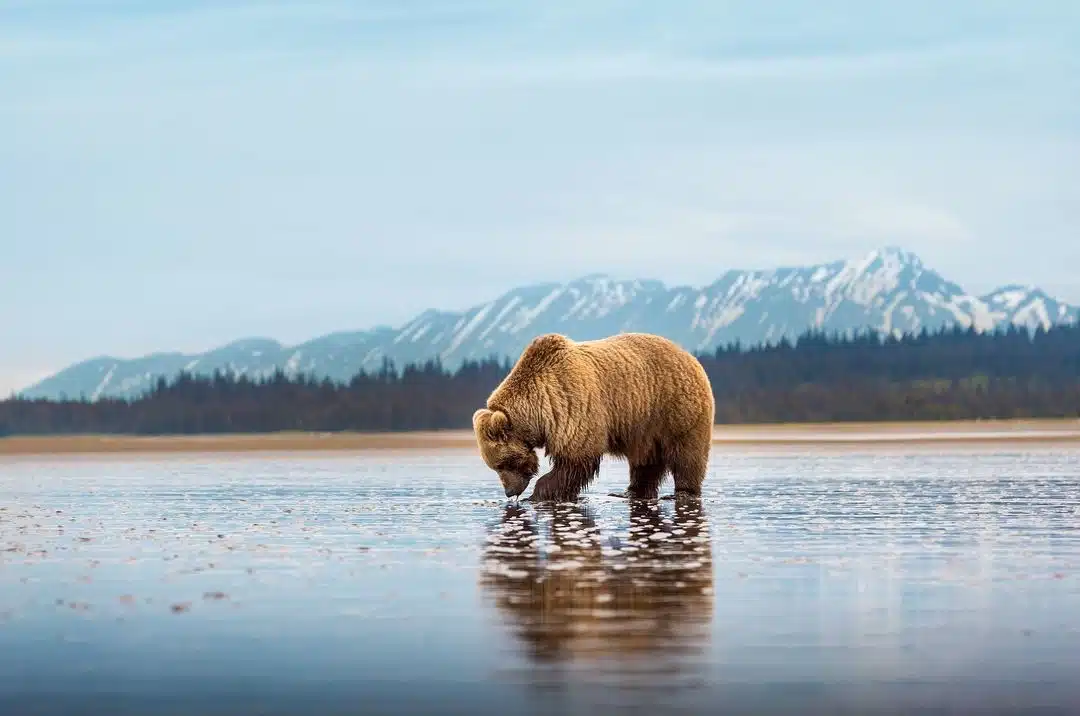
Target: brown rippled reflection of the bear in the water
{"x":636,"y":606}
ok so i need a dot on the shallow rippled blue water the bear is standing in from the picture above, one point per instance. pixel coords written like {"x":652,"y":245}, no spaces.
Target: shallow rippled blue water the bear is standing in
{"x":389,"y":585}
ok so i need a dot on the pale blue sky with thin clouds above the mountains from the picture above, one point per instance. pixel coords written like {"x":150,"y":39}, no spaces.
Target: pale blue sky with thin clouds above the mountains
{"x":179,"y":174}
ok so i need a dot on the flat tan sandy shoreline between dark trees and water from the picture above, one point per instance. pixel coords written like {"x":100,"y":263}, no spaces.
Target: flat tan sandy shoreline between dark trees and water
{"x":984,"y":434}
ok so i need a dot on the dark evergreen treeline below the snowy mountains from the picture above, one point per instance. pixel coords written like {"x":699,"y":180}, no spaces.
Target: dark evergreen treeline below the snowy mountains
{"x":953,"y":374}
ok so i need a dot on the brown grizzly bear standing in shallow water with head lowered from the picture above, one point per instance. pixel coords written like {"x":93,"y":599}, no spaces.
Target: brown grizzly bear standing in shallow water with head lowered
{"x":631,"y":396}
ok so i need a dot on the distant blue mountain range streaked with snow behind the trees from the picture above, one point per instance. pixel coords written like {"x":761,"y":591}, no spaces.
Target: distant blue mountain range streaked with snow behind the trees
{"x":888,"y":290}
